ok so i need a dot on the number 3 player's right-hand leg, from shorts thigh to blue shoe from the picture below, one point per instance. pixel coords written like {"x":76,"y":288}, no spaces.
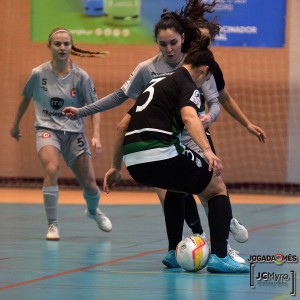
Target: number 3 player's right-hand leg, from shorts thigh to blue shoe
{"x":196,"y":179}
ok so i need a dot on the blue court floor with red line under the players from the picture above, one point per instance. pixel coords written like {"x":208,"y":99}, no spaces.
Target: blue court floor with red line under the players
{"x":126,"y":263}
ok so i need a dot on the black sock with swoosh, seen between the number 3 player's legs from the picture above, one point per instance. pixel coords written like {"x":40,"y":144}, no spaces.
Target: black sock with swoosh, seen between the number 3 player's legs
{"x":191,"y":214}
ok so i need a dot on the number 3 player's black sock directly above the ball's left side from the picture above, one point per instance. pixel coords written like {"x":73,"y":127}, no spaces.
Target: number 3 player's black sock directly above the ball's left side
{"x":174,"y":217}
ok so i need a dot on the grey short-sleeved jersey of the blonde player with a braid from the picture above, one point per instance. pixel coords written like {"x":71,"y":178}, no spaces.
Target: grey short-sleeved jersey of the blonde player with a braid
{"x":51,"y":94}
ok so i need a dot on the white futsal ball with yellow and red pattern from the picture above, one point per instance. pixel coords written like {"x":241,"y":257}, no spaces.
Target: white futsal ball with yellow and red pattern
{"x":192,"y":253}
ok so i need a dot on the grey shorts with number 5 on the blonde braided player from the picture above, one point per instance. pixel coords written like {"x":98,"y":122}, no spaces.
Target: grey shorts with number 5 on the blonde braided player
{"x":70,"y":144}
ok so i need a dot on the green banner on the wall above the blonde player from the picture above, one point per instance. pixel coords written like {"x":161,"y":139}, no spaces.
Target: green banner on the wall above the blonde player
{"x":101,"y":22}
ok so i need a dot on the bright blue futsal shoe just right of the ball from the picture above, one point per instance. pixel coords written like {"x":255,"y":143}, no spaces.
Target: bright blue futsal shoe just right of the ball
{"x":225,"y":265}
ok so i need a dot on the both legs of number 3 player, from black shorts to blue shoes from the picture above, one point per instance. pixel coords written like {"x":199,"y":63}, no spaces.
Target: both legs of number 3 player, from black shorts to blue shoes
{"x":189,"y":173}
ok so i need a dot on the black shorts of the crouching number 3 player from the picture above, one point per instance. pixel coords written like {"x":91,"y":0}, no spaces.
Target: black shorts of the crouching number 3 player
{"x":188,"y":172}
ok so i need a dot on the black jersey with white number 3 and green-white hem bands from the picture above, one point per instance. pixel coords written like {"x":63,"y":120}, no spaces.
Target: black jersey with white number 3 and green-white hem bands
{"x":155,"y":127}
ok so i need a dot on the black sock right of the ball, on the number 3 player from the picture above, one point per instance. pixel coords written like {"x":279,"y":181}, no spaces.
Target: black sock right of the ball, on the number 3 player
{"x":219,"y":216}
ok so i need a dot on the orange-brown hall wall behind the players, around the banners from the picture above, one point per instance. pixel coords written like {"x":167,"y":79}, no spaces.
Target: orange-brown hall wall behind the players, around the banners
{"x":258,"y":79}
